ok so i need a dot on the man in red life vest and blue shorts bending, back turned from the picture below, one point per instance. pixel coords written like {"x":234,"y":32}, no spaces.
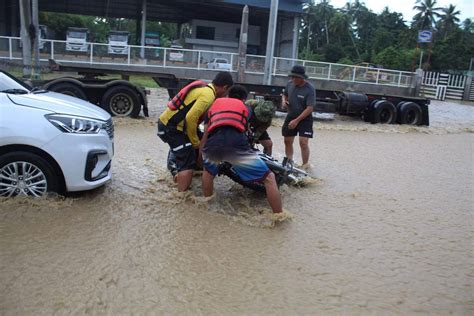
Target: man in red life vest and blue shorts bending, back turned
{"x":225,"y":139}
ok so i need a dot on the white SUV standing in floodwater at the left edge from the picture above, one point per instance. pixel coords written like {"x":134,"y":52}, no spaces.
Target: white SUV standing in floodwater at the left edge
{"x":51,"y":142}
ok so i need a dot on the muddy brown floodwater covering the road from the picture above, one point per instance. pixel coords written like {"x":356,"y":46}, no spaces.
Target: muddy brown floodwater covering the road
{"x":387,"y":228}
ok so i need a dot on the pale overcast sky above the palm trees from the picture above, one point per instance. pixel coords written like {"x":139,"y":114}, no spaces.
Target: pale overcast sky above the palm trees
{"x":406,"y":6}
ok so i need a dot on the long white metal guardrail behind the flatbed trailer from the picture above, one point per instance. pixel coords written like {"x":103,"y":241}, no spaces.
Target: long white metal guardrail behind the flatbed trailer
{"x":145,"y":56}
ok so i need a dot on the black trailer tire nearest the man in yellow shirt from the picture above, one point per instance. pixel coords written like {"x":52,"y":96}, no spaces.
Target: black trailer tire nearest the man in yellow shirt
{"x":121,"y":101}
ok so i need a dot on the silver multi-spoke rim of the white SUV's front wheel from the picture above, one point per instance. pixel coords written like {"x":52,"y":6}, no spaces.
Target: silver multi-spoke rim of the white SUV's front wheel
{"x":22,"y":178}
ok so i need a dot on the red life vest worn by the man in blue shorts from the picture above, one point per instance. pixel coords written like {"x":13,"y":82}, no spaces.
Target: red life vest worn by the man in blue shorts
{"x":228,"y":112}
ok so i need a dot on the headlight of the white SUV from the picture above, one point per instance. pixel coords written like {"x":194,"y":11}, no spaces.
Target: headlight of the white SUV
{"x":75,"y":124}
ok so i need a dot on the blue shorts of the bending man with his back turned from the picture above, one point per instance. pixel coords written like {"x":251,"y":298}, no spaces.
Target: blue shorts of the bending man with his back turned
{"x":229,"y":145}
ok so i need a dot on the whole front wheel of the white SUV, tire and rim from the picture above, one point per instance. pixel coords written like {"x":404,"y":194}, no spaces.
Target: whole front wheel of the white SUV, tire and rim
{"x":25,"y":173}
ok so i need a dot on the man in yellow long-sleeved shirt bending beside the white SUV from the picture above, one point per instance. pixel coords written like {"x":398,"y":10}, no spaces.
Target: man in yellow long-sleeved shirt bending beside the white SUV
{"x":178,"y":124}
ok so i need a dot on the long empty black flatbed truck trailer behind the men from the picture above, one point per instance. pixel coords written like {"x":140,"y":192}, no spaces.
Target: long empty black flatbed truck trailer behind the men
{"x":121,"y":98}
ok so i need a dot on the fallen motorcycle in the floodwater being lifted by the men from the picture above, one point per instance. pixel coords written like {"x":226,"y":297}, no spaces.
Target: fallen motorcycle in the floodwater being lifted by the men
{"x":285,"y":171}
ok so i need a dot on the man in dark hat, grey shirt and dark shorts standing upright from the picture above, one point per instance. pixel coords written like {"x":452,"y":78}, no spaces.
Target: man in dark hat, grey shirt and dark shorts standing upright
{"x":299,"y":98}
